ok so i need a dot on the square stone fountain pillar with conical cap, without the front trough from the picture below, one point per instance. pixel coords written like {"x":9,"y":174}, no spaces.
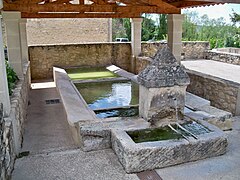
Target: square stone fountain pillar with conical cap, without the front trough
{"x":162,"y":89}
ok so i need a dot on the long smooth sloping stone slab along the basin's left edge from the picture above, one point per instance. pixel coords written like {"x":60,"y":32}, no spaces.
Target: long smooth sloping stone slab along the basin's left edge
{"x":75,"y":106}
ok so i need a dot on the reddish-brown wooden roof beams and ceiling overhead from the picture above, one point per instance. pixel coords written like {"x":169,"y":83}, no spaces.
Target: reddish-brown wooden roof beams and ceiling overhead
{"x":101,"y":8}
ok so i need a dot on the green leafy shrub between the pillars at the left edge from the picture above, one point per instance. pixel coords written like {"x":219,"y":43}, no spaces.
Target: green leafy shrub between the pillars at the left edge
{"x":11,"y":77}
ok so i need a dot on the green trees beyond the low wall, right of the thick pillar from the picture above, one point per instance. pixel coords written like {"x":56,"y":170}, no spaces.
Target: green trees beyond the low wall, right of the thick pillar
{"x":216,"y":31}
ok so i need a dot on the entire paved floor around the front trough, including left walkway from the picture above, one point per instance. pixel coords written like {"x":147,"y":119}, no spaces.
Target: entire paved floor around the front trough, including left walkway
{"x":53,"y":154}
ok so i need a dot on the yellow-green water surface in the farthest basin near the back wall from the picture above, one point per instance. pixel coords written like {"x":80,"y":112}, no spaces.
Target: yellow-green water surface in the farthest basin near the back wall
{"x":90,"y":73}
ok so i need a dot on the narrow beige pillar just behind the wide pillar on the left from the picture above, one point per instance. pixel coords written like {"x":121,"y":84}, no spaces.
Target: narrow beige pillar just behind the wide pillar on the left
{"x":23,"y":37}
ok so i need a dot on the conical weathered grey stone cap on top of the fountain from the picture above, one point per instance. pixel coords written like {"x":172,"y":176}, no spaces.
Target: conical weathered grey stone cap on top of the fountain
{"x":164,"y":71}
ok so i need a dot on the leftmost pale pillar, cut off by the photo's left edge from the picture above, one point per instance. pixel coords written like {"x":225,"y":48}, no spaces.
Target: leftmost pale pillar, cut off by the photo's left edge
{"x":4,"y":96}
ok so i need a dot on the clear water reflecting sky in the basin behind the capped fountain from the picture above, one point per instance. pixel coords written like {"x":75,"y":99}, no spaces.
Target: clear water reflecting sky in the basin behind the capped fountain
{"x":103,"y":95}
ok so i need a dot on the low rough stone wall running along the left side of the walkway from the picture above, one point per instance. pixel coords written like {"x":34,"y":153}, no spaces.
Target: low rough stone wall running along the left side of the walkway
{"x":12,"y":127}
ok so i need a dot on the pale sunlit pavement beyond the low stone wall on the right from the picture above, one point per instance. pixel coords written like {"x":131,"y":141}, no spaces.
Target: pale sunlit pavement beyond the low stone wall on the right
{"x":214,"y":68}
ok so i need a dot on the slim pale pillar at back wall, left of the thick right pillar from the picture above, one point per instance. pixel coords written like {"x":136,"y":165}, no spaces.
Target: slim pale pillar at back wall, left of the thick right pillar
{"x":136,"y":29}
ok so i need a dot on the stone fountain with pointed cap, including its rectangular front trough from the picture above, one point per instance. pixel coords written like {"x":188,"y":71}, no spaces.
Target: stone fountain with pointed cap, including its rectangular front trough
{"x":162,"y":98}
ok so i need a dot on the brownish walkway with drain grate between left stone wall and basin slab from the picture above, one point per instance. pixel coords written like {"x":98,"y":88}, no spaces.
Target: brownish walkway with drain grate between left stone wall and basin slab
{"x":46,"y":128}
